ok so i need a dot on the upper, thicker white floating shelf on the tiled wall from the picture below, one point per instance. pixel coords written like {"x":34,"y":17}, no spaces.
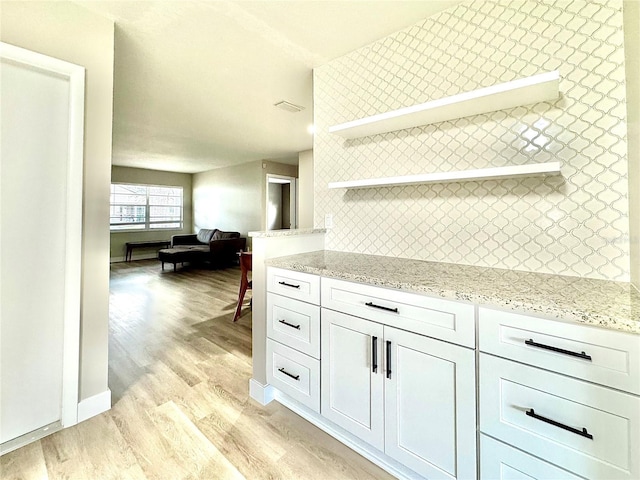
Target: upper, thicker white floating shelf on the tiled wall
{"x":524,"y":91}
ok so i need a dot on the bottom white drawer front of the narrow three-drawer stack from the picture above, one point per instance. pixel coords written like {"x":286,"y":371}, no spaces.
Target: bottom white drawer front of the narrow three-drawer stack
{"x":294,"y":374}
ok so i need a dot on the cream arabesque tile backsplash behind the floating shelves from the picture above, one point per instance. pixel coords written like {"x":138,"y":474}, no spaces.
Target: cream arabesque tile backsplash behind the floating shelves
{"x":576,"y":224}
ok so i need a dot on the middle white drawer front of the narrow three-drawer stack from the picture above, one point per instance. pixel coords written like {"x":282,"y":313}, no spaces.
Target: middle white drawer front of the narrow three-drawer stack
{"x":294,"y":323}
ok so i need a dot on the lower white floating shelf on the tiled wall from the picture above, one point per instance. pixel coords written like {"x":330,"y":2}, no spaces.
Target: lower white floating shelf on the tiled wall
{"x":530,"y":170}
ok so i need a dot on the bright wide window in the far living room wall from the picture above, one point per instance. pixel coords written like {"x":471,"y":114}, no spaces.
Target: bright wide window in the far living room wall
{"x":145,"y":207}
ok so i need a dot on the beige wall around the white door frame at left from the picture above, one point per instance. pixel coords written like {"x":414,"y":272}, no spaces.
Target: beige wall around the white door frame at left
{"x":71,"y":33}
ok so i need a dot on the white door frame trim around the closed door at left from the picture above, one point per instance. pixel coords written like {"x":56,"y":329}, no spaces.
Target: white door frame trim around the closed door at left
{"x":75,"y":75}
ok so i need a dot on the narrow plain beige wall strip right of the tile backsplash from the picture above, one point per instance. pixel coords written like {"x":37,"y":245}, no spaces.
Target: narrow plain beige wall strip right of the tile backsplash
{"x":632,"y":59}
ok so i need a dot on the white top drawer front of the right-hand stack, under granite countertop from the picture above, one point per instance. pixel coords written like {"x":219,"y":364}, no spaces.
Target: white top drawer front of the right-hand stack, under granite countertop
{"x":595,"y":354}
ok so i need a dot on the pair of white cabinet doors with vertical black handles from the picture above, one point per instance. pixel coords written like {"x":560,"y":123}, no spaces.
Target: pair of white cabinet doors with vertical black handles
{"x":410,"y":396}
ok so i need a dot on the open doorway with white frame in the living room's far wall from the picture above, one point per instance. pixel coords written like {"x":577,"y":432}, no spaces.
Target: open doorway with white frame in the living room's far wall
{"x":281,"y":202}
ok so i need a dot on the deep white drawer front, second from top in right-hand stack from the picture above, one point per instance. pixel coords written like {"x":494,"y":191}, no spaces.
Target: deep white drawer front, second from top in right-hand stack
{"x":544,"y":413}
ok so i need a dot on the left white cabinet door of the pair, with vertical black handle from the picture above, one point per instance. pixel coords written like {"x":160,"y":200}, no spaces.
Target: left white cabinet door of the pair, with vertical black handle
{"x":352,"y":386}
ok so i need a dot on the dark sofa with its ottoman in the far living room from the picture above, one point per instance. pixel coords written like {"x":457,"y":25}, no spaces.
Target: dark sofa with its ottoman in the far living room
{"x":215,"y":247}
